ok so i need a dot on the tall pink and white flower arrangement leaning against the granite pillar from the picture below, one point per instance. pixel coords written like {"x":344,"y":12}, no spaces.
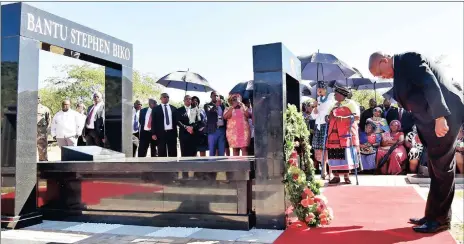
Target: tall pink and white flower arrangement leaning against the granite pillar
{"x":302,"y":190}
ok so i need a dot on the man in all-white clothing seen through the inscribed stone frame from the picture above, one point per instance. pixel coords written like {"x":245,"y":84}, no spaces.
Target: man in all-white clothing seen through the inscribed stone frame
{"x":66,"y":125}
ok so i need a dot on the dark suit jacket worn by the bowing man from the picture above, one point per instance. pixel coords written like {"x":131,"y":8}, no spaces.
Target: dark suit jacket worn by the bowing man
{"x":420,"y":88}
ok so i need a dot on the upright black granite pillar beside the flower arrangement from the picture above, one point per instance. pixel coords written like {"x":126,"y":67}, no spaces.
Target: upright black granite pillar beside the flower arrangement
{"x":276,"y":83}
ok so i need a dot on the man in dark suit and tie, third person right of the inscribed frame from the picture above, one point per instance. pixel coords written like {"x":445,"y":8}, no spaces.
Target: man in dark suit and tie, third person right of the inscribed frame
{"x":163,"y":127}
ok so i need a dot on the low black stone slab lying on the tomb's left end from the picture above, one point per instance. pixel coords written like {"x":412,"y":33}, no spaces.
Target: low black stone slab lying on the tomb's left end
{"x":88,"y":153}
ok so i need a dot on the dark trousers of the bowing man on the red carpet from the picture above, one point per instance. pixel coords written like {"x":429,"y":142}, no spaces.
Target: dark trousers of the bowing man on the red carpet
{"x":441,"y":167}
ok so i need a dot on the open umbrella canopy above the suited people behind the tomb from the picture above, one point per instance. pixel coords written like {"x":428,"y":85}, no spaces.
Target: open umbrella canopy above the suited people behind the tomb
{"x":186,"y":81}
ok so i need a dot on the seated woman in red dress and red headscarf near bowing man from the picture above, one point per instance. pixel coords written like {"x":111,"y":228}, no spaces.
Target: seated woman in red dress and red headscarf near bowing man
{"x":392,"y":154}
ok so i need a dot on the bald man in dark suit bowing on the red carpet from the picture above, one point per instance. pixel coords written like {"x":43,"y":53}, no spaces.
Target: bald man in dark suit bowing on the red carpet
{"x":437,"y":107}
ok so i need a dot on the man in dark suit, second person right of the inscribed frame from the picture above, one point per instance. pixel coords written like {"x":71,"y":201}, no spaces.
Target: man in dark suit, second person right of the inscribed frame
{"x":145,"y":139}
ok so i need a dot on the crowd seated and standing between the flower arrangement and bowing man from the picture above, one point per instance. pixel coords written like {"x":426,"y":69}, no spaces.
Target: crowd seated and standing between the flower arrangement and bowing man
{"x":382,"y":138}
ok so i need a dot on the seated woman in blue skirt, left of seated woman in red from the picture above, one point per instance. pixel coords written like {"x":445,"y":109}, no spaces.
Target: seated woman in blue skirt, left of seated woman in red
{"x":369,"y":141}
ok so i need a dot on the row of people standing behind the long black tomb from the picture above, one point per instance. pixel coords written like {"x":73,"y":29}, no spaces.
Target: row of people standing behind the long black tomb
{"x":217,"y":127}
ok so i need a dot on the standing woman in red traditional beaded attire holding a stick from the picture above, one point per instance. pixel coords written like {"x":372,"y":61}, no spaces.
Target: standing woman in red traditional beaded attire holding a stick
{"x":342,"y":137}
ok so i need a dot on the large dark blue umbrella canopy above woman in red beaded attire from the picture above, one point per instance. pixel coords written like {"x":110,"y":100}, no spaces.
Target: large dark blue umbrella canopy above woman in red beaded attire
{"x":324,"y":66}
